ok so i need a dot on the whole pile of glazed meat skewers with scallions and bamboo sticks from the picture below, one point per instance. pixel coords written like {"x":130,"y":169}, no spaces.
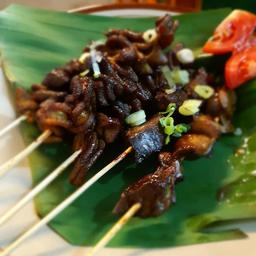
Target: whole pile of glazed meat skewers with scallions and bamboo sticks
{"x":131,"y":86}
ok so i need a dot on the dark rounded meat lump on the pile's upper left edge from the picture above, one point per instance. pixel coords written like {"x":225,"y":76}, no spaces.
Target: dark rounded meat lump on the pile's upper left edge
{"x":56,"y":79}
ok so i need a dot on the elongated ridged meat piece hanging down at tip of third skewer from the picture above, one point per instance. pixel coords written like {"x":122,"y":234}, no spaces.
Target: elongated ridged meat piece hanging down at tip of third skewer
{"x":92,"y":148}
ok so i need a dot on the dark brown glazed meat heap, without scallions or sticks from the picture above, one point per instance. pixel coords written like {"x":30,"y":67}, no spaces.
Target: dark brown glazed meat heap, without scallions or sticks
{"x":72,"y":101}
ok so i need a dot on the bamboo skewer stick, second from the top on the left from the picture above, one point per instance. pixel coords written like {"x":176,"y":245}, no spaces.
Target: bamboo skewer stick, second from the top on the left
{"x":20,"y":156}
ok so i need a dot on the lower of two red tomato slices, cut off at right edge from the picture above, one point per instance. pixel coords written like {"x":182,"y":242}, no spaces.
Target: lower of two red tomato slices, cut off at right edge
{"x":241,"y":67}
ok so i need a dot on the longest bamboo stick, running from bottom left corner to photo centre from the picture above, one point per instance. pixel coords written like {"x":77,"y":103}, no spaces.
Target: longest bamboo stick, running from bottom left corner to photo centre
{"x":59,"y":208}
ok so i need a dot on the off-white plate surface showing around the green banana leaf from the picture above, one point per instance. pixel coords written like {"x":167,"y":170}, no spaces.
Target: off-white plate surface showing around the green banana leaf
{"x":47,"y":243}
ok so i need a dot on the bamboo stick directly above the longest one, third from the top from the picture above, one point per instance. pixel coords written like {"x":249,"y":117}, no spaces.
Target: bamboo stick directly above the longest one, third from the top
{"x":38,"y":188}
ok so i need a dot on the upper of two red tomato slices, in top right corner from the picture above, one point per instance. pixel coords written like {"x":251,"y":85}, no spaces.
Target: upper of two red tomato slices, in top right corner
{"x":232,"y":33}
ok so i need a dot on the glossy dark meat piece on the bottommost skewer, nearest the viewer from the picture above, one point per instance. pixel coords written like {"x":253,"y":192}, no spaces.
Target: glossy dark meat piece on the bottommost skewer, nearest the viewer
{"x":154,"y":192}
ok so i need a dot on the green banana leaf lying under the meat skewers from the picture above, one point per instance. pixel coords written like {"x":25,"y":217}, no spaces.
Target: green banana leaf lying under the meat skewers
{"x":216,"y":190}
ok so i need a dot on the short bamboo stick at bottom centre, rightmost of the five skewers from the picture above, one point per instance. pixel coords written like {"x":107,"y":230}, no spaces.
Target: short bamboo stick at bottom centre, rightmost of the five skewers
{"x":115,"y":229}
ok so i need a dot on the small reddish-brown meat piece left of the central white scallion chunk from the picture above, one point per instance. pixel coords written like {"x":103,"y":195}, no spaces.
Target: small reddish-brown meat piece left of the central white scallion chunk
{"x":108,"y":128}
